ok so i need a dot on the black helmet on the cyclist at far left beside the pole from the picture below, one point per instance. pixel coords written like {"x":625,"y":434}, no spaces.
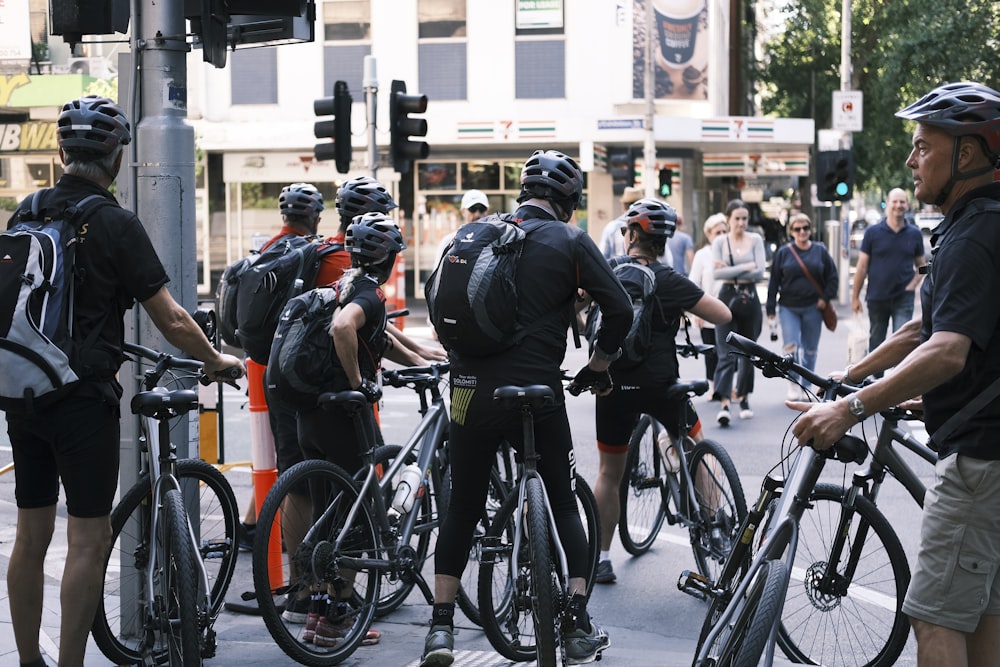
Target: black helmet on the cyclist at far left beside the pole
{"x":92,"y":124}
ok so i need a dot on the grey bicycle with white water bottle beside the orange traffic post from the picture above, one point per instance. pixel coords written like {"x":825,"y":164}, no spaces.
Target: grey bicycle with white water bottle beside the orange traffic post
{"x":350,"y":541}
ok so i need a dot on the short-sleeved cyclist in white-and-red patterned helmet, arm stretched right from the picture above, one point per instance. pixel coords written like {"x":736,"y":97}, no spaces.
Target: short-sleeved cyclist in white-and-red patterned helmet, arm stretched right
{"x":640,"y":388}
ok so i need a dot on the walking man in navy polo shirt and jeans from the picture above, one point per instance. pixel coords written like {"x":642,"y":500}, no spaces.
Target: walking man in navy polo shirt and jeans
{"x":889,"y":252}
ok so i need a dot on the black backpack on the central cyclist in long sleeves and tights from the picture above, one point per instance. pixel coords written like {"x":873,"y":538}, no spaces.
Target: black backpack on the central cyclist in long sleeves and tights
{"x":471,"y":295}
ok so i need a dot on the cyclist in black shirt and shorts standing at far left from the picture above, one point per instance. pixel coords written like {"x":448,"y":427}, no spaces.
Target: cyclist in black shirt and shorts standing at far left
{"x":75,"y":440}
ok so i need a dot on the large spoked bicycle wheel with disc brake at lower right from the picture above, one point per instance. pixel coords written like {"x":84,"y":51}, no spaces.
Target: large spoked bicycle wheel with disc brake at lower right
{"x":863,"y":625}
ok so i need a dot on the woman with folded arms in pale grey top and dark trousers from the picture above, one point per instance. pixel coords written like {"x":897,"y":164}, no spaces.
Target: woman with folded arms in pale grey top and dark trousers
{"x":739,"y":264}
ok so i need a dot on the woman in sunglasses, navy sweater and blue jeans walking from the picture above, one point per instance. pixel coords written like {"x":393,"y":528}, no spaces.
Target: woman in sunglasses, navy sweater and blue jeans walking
{"x":802,"y":288}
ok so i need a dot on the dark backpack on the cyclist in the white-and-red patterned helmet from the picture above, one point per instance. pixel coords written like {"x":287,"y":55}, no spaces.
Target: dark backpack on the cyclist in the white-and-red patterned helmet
{"x":639,"y":282}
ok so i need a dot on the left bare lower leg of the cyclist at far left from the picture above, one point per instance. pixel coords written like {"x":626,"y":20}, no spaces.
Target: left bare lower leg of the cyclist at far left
{"x":25,"y":577}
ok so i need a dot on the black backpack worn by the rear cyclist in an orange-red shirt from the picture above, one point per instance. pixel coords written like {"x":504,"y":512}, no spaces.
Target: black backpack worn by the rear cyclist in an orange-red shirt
{"x":263,"y":286}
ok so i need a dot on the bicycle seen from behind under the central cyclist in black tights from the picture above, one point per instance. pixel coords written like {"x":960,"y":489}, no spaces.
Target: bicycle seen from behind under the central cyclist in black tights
{"x":523,"y":573}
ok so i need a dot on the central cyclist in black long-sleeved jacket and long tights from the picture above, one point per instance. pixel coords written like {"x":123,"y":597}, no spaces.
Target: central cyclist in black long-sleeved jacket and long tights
{"x":556,"y":260}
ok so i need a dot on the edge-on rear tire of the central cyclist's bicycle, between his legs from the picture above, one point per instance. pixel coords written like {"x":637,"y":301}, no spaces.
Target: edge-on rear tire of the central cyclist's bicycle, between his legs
{"x":545,"y":586}
